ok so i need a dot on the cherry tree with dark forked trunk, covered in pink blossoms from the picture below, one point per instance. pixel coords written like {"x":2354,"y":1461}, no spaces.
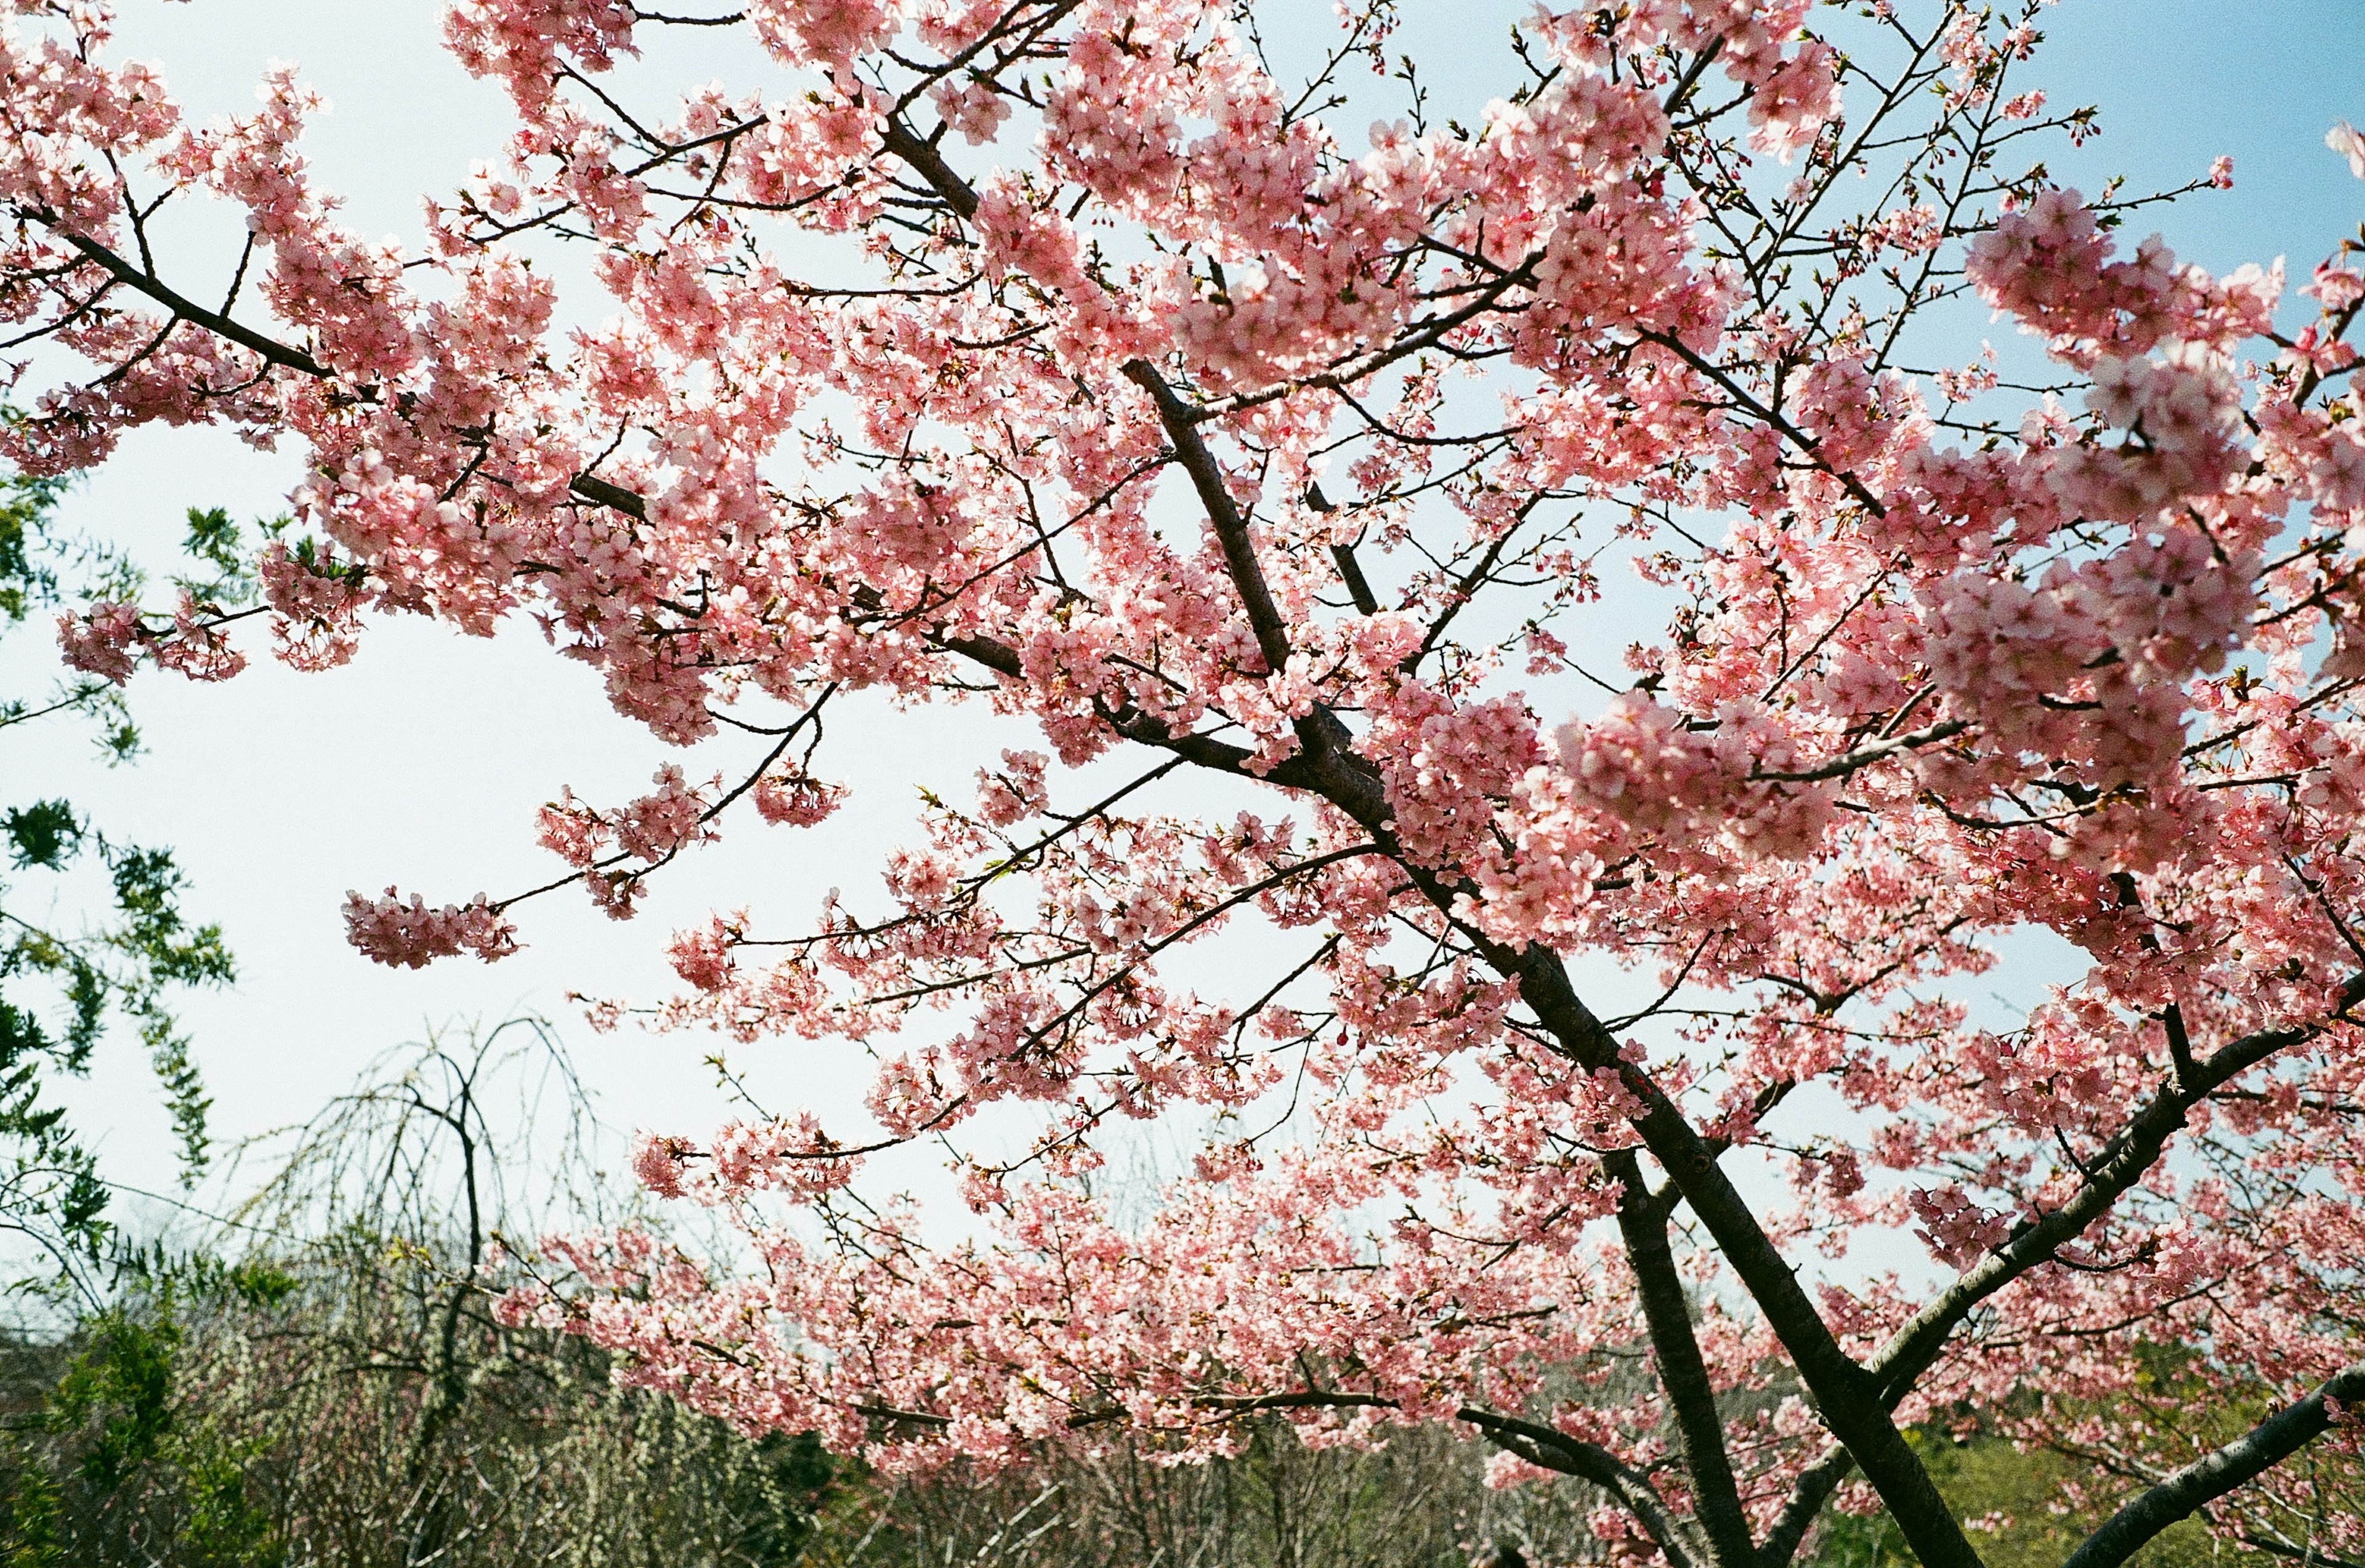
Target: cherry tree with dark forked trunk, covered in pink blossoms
{"x":1082,"y":361}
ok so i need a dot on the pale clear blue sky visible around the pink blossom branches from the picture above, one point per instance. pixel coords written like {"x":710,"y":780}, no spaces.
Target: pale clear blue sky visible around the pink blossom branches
{"x":425,"y":760}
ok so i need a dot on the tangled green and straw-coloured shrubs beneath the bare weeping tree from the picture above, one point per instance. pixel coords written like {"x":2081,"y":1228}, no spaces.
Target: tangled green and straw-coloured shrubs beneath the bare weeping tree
{"x":259,"y":1413}
